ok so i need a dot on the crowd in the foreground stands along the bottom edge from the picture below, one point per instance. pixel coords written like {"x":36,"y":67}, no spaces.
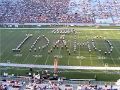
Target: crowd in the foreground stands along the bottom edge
{"x":52,"y":85}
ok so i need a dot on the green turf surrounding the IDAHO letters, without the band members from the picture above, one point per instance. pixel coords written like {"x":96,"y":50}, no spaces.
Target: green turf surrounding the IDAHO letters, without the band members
{"x":10,"y":38}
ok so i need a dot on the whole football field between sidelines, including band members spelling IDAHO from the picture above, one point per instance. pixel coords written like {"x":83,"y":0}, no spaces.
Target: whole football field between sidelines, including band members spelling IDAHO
{"x":72,"y":47}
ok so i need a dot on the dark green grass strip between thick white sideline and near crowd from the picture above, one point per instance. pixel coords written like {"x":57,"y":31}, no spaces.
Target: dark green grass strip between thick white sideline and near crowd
{"x":69,"y":74}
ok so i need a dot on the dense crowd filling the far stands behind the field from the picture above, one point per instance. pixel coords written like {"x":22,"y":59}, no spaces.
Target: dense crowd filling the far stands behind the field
{"x":47,"y":11}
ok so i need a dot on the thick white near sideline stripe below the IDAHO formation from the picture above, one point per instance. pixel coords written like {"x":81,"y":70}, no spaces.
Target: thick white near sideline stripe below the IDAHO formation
{"x":60,"y":67}
